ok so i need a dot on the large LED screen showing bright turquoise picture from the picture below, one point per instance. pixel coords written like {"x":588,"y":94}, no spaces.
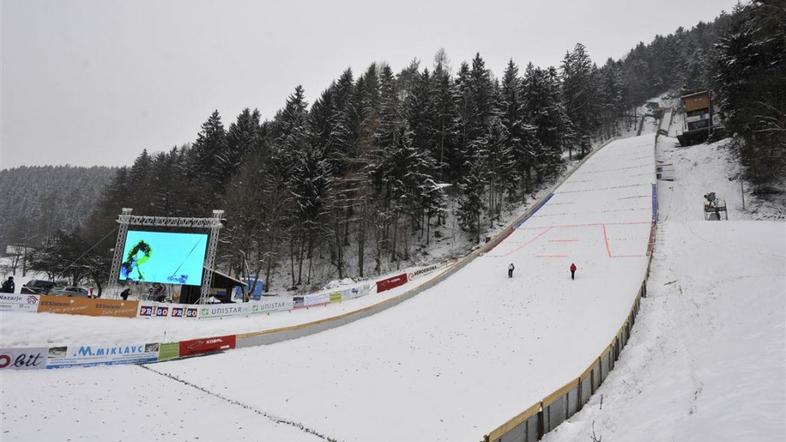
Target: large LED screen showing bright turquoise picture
{"x":164,"y":257}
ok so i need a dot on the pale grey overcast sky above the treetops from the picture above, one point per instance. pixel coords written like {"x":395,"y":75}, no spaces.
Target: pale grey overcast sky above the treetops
{"x":93,"y":82}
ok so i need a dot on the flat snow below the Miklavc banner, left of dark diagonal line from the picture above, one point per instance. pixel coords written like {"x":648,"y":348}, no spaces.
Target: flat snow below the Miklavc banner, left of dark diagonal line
{"x":128,"y":404}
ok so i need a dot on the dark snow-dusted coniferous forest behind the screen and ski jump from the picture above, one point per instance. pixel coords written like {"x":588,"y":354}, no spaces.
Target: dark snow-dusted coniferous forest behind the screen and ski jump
{"x":360,"y":175}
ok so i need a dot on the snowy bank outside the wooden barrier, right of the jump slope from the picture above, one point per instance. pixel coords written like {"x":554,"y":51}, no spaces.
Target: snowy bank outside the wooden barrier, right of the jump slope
{"x":707,"y":357}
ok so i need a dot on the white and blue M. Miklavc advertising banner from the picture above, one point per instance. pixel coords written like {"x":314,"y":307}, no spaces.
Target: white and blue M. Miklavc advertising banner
{"x":89,"y":355}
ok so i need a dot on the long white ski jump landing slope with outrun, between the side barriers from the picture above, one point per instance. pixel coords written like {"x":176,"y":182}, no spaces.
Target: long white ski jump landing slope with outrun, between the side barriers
{"x":450,"y":364}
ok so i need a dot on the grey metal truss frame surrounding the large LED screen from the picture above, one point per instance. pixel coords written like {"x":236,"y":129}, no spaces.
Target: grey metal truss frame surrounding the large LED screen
{"x":126,"y":219}
